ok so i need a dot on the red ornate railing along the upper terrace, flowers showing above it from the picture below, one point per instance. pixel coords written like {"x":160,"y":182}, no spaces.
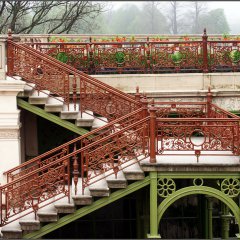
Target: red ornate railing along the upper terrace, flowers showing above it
{"x":147,"y":56}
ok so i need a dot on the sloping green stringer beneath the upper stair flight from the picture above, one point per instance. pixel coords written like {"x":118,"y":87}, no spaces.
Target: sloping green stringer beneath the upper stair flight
{"x":51,"y":117}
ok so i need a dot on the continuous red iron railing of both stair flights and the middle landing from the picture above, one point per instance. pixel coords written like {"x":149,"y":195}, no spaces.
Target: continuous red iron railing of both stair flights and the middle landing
{"x":133,"y":137}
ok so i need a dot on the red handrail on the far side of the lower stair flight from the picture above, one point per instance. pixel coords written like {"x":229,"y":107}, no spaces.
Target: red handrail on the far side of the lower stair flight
{"x":87,"y":135}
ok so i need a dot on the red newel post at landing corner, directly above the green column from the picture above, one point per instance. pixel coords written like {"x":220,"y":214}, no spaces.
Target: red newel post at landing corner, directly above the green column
{"x":152,"y":111}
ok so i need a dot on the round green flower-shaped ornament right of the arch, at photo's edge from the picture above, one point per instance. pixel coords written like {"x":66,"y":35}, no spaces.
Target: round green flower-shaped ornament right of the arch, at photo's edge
{"x":231,"y":187}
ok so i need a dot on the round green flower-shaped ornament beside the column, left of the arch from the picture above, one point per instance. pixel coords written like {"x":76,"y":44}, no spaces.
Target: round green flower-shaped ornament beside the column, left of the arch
{"x":165,"y":187}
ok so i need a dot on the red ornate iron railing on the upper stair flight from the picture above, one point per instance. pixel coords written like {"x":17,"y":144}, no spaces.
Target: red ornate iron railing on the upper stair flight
{"x":87,"y":93}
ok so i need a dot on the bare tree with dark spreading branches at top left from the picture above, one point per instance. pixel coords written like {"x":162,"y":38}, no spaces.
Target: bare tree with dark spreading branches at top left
{"x":50,"y":16}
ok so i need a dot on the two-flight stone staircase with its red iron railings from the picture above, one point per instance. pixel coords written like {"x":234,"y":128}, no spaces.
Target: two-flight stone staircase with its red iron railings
{"x":79,"y":172}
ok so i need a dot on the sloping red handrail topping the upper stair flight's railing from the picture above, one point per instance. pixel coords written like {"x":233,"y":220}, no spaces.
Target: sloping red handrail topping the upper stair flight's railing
{"x":74,"y":71}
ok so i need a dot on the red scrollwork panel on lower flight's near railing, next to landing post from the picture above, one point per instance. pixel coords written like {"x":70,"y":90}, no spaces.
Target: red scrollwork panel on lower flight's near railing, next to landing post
{"x":114,"y":152}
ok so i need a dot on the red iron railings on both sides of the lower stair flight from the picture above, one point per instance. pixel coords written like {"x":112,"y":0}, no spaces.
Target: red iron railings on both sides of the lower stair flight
{"x":34,"y":184}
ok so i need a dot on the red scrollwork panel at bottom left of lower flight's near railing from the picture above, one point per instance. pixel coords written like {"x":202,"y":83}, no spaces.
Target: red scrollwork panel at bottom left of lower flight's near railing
{"x":29,"y":193}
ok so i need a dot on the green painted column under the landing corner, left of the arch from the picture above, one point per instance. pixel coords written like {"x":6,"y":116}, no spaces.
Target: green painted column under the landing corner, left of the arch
{"x":153,"y":206}
